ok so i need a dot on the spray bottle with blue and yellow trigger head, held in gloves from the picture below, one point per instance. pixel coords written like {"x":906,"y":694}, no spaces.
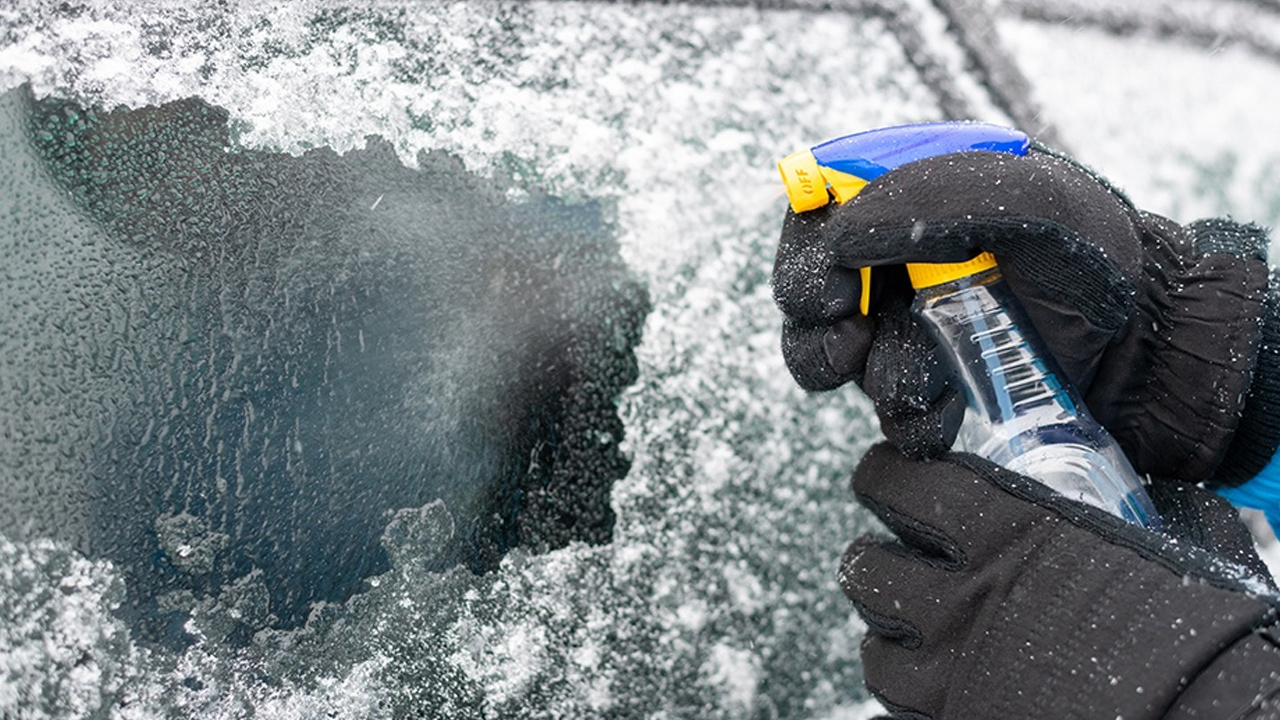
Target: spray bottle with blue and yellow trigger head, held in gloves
{"x":1023,"y":414}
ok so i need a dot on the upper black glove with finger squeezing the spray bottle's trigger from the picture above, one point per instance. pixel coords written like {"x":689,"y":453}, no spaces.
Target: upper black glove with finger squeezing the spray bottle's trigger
{"x":1160,"y":327}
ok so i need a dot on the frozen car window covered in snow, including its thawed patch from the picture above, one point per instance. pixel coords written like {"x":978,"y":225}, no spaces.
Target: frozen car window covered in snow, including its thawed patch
{"x":422,"y":361}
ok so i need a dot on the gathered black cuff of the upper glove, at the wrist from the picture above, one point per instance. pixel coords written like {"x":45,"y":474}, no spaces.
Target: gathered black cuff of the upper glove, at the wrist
{"x":1190,"y":361}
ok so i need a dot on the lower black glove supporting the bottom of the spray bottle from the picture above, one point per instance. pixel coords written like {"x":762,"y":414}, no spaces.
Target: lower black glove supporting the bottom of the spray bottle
{"x":1002,"y":599}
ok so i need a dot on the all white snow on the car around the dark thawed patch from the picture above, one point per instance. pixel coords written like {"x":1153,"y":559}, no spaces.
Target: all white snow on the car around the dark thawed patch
{"x":717,"y":596}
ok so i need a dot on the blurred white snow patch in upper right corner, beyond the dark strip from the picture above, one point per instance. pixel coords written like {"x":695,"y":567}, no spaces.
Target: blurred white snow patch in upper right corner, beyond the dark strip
{"x":1188,"y":131}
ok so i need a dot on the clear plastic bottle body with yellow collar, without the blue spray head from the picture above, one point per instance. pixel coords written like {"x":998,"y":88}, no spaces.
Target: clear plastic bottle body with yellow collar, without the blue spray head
{"x":1023,"y":413}
